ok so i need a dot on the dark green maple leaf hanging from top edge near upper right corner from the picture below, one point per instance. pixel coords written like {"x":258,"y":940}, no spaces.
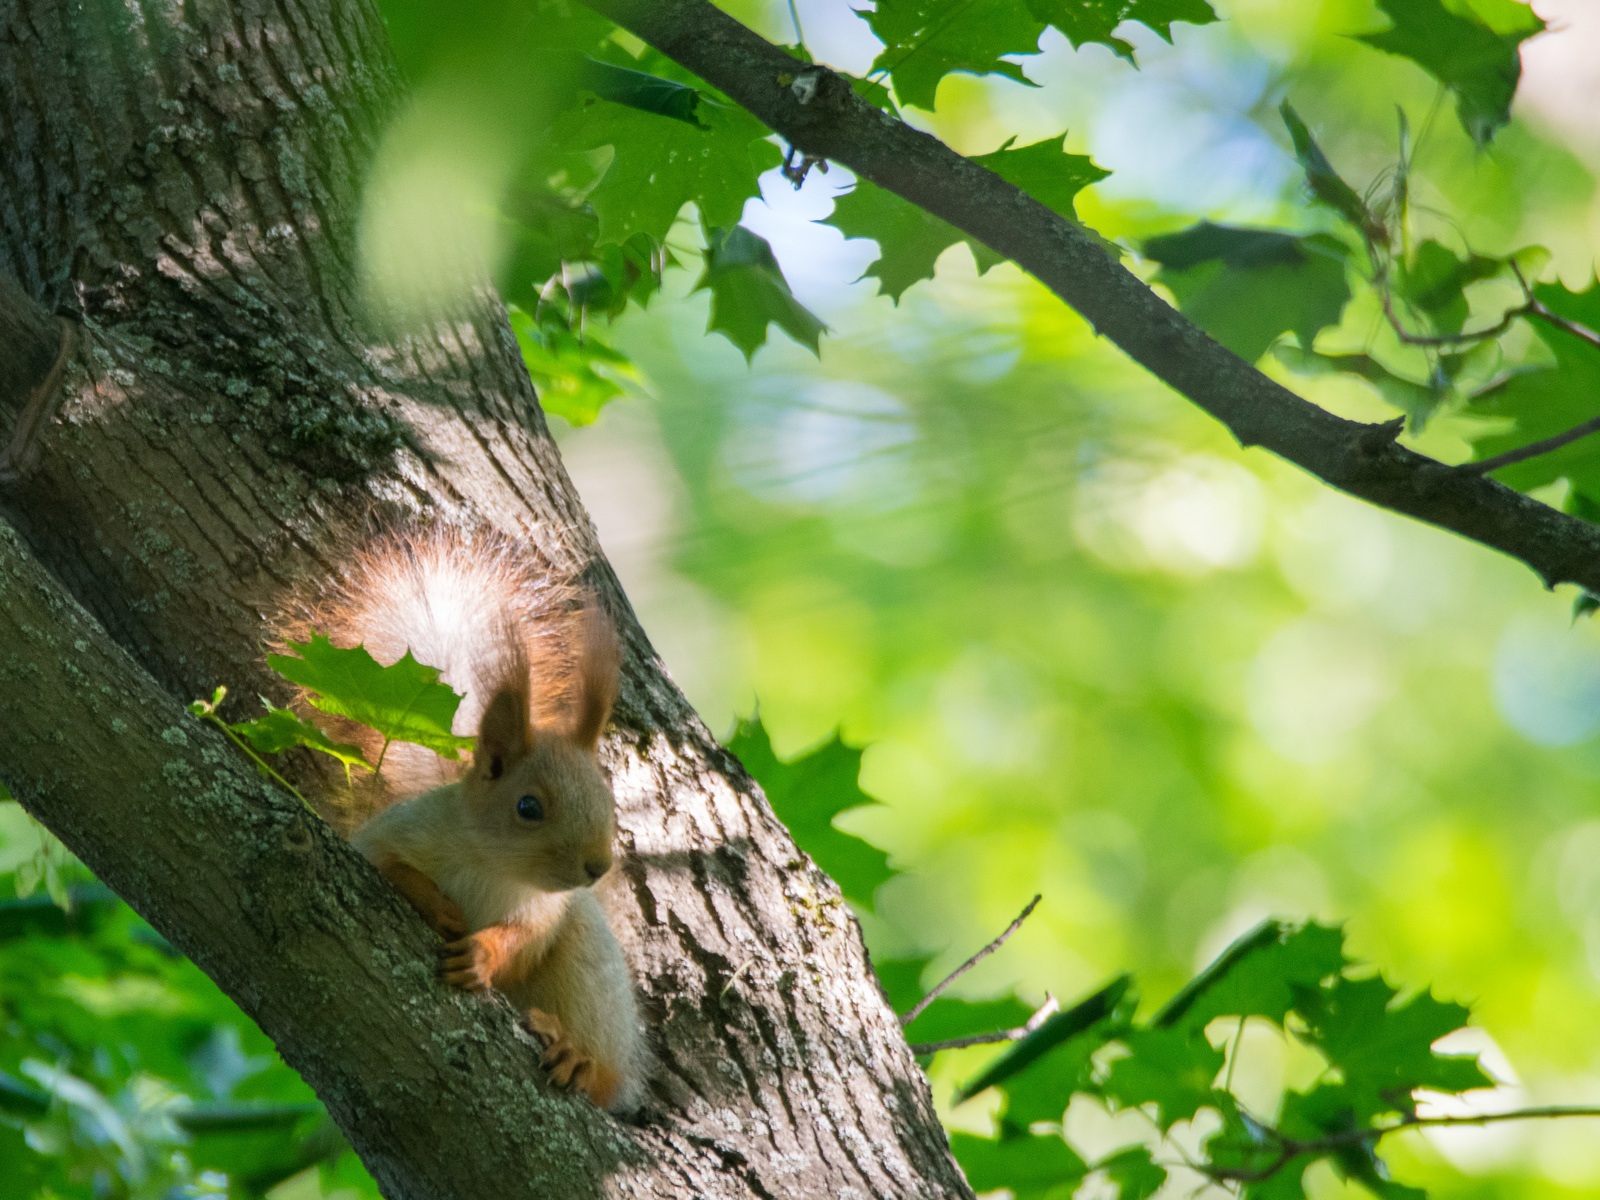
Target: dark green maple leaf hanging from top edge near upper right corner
{"x":1478,"y":63}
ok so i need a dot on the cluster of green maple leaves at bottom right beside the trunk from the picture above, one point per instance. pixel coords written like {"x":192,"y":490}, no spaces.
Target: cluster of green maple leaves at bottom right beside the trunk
{"x":1177,"y":1065}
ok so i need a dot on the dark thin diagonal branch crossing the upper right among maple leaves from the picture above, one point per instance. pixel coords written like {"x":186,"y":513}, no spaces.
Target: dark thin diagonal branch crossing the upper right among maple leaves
{"x":1361,"y":460}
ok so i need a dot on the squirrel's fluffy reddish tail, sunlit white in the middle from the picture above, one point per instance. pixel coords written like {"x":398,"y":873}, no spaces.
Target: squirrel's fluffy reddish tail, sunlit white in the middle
{"x":473,"y":604}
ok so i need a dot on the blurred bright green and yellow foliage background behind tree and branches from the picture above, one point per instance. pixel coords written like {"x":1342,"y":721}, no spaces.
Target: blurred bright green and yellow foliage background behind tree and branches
{"x":1092,"y":647}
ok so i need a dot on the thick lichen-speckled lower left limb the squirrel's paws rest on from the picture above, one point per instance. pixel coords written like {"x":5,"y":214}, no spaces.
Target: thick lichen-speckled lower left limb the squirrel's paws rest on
{"x":278,"y":908}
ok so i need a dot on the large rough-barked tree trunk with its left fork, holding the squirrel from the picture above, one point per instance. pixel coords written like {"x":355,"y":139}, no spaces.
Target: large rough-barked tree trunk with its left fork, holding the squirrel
{"x":204,"y":414}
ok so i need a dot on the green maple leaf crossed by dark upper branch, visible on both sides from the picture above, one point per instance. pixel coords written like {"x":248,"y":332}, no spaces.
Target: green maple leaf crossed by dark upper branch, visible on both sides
{"x":911,"y":239}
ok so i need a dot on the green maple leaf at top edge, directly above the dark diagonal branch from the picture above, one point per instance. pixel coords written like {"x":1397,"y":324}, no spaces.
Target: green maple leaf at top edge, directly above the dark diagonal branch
{"x":924,"y":41}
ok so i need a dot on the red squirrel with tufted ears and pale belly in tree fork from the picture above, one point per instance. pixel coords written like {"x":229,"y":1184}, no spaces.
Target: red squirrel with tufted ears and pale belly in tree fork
{"x":502,"y":857}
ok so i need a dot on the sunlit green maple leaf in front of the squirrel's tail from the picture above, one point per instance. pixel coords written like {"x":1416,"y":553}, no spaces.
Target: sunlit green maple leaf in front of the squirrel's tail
{"x":404,"y":702}
